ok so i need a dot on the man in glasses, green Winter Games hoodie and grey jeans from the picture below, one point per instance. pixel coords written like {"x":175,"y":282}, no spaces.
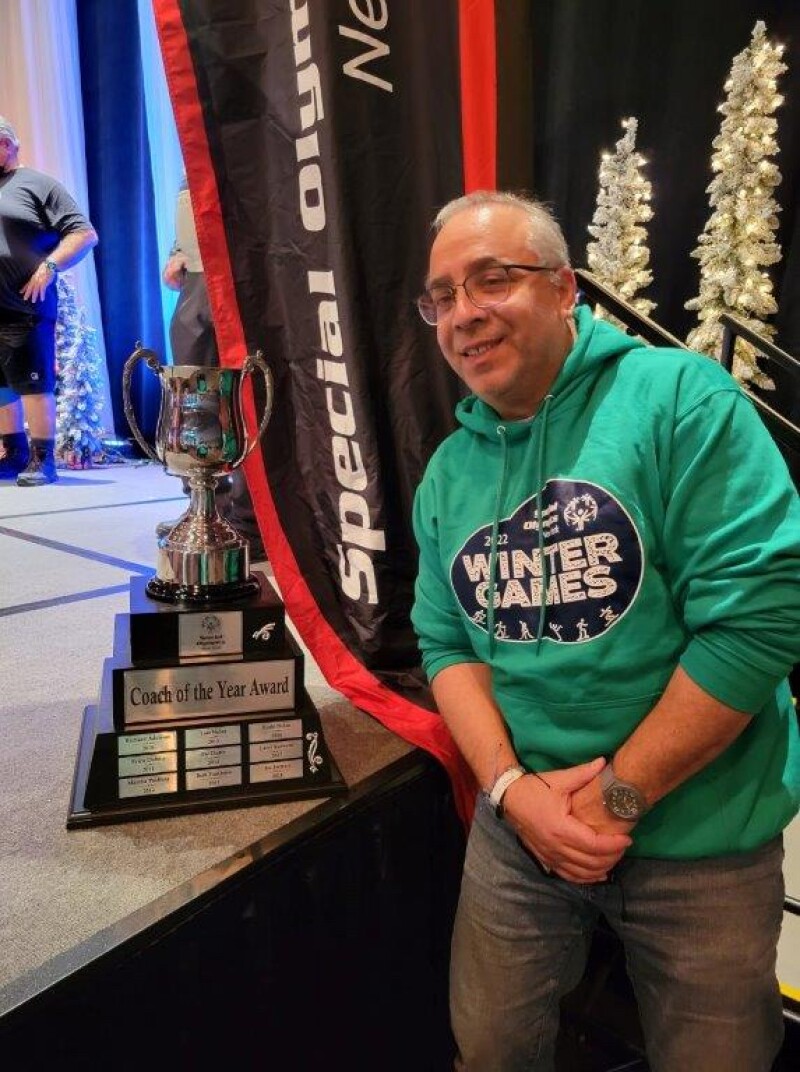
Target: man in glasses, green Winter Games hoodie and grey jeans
{"x":608,"y":608}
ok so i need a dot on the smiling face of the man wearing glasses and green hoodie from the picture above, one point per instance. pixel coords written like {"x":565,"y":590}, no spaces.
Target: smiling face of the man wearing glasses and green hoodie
{"x":511,"y":354}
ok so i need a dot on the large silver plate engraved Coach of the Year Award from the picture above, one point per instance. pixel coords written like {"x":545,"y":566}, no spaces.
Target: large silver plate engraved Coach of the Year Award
{"x":199,"y":690}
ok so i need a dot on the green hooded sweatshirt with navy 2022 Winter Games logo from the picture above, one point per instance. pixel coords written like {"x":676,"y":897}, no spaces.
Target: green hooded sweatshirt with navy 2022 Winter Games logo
{"x":643,"y":519}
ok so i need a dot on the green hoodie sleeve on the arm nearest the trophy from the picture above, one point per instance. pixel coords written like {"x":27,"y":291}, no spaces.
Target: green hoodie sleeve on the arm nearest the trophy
{"x":443,"y":641}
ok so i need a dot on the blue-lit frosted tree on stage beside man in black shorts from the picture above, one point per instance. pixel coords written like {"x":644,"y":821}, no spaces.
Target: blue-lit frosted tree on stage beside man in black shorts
{"x":79,"y":386}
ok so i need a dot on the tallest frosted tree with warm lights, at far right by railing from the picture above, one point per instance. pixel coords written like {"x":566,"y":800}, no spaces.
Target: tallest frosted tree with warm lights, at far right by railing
{"x":738,"y":240}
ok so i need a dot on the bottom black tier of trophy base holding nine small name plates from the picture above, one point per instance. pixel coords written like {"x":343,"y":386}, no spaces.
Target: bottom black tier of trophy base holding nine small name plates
{"x":177,"y":770}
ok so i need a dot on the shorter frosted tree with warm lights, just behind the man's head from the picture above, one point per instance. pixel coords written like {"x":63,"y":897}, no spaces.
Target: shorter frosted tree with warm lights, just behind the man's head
{"x":620,"y":257}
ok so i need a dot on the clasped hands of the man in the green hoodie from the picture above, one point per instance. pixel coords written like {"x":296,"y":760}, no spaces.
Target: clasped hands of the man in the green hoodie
{"x":564,"y":822}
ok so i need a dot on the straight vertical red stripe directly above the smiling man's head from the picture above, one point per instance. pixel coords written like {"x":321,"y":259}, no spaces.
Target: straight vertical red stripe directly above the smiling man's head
{"x":477,"y":34}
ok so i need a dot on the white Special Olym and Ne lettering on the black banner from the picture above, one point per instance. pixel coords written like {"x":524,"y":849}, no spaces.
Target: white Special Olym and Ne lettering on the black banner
{"x":360,"y":540}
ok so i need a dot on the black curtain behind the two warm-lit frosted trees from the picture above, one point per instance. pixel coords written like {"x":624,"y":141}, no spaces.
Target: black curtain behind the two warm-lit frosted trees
{"x":665,"y":63}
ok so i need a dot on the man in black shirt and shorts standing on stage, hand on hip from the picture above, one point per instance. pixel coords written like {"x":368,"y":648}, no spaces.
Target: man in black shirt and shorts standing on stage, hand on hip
{"x":42,"y":233}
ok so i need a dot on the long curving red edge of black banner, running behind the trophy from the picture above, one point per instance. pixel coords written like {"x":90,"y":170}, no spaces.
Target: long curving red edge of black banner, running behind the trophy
{"x":338,"y":665}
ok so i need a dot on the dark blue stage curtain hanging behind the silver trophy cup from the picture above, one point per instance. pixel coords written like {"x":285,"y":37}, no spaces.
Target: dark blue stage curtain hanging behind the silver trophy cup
{"x":121,"y":197}
